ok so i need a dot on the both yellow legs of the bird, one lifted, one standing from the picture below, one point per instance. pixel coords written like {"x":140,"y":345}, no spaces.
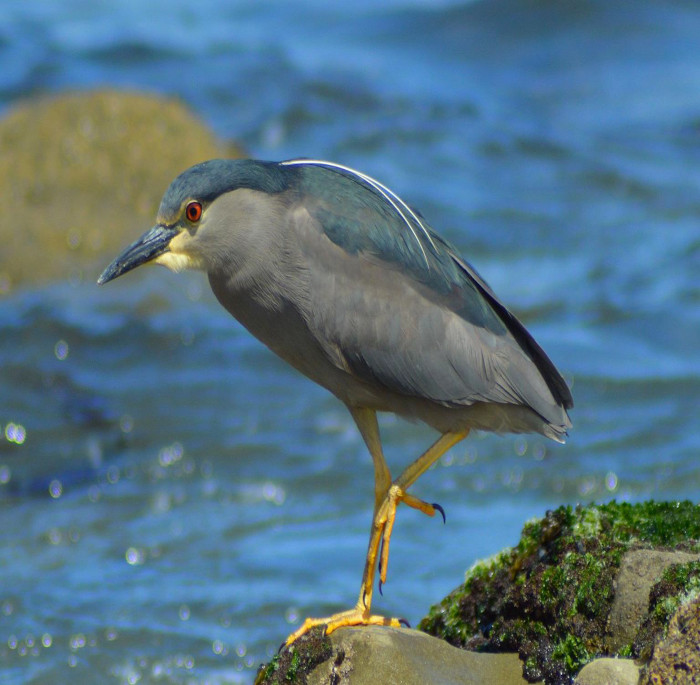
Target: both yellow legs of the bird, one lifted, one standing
{"x":387,"y":496}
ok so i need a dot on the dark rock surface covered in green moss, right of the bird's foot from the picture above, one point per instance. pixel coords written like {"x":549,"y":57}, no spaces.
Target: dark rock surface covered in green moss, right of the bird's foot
{"x":550,"y":597}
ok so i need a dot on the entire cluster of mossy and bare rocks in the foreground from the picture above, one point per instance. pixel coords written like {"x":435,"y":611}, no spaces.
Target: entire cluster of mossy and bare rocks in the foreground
{"x":598,"y":595}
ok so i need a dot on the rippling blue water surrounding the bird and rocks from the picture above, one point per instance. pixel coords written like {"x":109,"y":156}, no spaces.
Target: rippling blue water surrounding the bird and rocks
{"x":173,"y":498}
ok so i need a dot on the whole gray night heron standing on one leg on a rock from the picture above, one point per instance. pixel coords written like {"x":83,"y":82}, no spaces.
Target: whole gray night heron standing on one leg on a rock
{"x":345,"y":281}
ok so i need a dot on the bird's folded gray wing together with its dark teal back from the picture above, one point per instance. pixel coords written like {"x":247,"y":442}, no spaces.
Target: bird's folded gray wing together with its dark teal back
{"x":400,"y":308}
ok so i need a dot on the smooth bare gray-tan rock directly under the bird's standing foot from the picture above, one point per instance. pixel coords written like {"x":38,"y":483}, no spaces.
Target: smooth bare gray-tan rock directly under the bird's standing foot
{"x":376,"y":654}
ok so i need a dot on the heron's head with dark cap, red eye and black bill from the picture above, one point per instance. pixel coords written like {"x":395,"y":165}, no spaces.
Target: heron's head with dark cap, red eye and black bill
{"x":199,"y":215}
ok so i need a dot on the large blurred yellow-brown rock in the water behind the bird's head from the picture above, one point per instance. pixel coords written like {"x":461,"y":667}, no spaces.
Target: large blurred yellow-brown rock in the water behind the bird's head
{"x":82,"y":174}
